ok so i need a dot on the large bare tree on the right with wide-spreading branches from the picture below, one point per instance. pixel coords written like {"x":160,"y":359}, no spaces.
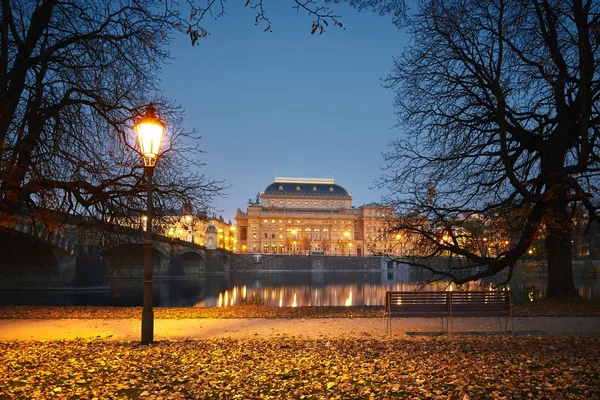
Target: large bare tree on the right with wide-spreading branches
{"x":499,"y":100}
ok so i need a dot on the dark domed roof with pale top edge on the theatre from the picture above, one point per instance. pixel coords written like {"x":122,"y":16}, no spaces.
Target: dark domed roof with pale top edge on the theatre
{"x":305,"y":187}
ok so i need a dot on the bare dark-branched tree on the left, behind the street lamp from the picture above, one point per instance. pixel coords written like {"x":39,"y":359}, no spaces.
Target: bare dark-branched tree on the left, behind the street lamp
{"x":74,"y":76}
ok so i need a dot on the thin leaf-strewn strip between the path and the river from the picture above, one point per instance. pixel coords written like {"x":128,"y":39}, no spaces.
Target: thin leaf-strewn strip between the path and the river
{"x":542,"y":308}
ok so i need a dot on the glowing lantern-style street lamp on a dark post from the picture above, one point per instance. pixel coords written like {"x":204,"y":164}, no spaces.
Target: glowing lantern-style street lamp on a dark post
{"x":149,"y":133}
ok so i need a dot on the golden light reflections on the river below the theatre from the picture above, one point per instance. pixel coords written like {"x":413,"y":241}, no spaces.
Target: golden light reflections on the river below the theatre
{"x":317,"y":290}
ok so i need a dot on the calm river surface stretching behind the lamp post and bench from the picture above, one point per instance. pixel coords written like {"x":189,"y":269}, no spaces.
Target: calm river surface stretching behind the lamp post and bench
{"x":277,"y":289}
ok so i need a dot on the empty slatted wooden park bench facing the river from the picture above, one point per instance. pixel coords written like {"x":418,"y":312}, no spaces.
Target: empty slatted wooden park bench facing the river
{"x":446,"y":305}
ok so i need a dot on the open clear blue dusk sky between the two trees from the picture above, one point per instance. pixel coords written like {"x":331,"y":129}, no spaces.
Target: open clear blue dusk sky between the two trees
{"x":286,"y":101}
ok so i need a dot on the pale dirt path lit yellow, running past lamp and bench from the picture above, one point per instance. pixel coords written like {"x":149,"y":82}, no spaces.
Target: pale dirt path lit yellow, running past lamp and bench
{"x":310,"y":328}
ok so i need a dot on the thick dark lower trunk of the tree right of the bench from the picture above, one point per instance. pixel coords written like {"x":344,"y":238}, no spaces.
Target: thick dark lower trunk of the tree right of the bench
{"x":560,"y":263}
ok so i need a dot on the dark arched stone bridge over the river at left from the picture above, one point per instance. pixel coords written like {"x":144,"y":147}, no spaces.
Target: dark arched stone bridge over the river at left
{"x":89,"y":255}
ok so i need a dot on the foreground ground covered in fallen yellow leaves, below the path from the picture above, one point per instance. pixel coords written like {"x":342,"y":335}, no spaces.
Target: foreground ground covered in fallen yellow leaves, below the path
{"x":440,"y":368}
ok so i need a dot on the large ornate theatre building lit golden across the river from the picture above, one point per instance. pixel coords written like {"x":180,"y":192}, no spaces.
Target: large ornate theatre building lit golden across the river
{"x":313,"y":216}
